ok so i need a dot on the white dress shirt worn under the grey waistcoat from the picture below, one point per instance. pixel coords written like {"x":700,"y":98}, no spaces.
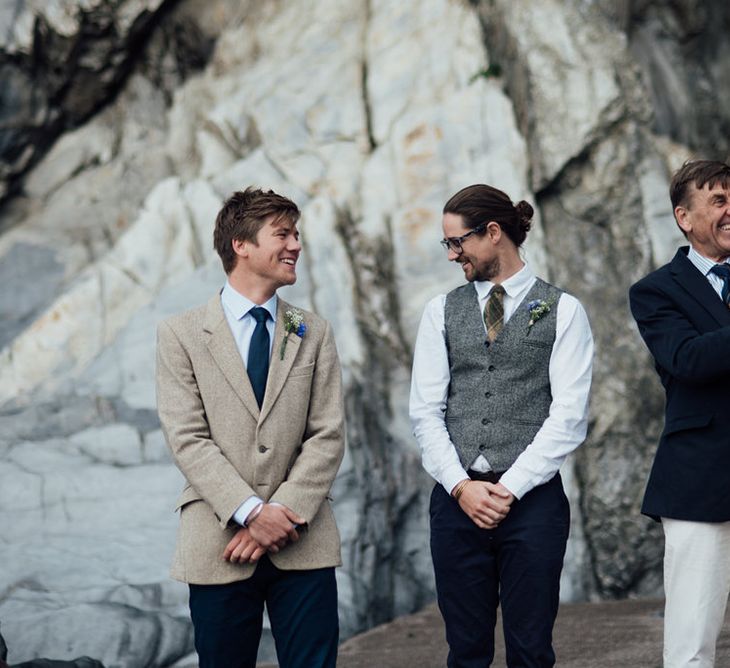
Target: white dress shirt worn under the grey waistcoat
{"x":570,"y":368}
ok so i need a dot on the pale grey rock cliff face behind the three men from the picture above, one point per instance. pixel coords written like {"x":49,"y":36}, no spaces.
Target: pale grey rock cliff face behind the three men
{"x":117,"y":148}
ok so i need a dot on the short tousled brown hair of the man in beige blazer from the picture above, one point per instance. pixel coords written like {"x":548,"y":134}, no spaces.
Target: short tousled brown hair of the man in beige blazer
{"x":241,"y":217}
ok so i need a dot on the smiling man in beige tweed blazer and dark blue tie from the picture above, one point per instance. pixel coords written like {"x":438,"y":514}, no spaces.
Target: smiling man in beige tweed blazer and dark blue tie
{"x":256,"y":526}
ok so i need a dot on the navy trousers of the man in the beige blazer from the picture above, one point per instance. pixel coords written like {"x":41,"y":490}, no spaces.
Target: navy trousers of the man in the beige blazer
{"x":302,"y":607}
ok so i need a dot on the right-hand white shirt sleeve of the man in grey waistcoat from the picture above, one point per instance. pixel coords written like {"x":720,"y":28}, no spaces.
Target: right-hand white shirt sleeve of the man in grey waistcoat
{"x":570,"y":369}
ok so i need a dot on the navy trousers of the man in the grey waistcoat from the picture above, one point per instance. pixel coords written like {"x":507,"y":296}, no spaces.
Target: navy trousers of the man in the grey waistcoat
{"x":516,"y":565}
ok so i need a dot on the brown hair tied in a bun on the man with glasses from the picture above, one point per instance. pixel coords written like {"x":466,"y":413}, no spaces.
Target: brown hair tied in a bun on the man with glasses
{"x":481,"y":203}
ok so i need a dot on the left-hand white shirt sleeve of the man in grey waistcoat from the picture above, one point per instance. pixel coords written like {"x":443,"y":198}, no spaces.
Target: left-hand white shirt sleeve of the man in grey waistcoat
{"x":429,"y":392}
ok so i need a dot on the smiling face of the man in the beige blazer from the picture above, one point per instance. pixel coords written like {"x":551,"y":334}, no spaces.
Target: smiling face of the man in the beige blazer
{"x":270,"y":262}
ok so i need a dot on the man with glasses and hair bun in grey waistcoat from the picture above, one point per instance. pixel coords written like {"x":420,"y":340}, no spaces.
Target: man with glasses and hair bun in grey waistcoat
{"x":499,"y":398}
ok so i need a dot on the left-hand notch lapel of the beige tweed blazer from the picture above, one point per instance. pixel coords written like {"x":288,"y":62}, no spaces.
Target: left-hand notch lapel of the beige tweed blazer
{"x":224,"y":351}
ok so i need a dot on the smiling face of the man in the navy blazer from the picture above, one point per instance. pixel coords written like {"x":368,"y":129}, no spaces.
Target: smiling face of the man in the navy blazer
{"x":705,"y":219}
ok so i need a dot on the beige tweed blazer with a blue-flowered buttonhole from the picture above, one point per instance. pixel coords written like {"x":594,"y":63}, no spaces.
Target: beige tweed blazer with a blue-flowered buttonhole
{"x":228,"y":449}
